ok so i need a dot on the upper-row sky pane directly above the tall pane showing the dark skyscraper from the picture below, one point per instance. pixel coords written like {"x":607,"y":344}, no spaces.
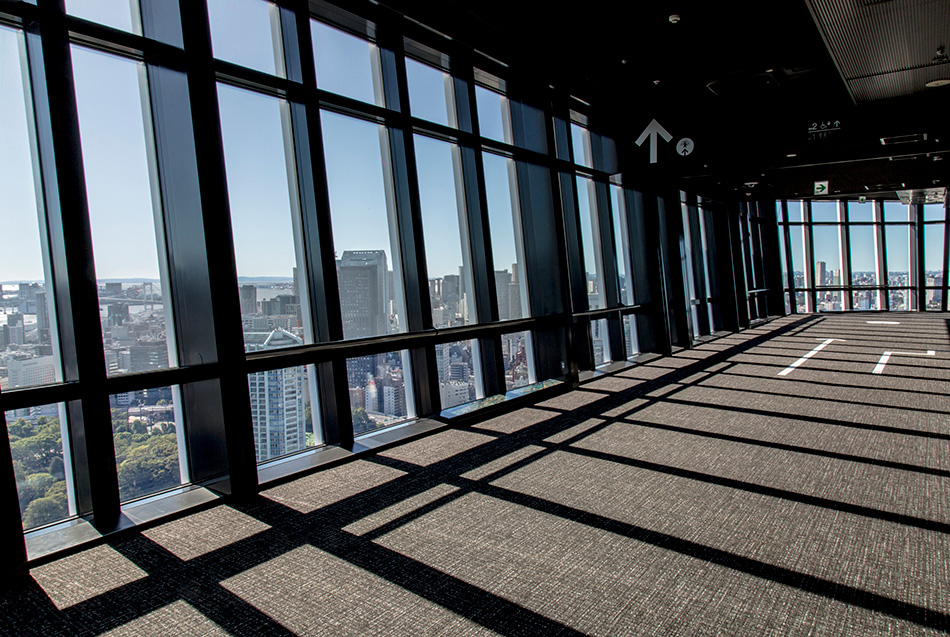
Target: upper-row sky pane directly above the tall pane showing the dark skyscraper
{"x":346,"y":65}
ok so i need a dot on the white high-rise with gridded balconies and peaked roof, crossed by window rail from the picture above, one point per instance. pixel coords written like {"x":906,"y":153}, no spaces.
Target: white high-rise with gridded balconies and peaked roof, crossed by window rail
{"x":277,"y":399}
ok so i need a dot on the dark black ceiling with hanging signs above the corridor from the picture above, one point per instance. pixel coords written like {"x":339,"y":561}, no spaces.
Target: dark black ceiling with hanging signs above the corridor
{"x":780,"y":93}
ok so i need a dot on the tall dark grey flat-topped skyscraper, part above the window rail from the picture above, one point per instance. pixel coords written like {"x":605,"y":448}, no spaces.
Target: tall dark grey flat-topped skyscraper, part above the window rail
{"x":364,"y":293}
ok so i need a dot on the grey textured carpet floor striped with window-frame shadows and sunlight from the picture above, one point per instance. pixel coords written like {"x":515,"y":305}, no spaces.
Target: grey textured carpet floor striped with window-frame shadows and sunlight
{"x":700,"y":494}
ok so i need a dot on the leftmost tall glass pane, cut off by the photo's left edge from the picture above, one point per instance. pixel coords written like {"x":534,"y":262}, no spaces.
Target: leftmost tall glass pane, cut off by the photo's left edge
{"x":27,"y":354}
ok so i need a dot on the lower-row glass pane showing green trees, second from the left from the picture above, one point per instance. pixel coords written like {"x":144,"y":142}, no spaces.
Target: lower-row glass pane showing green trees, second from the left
{"x":146,"y":429}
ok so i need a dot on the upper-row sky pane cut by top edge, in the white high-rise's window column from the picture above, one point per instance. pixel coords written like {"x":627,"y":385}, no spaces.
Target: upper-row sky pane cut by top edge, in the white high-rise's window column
{"x":247,"y":32}
